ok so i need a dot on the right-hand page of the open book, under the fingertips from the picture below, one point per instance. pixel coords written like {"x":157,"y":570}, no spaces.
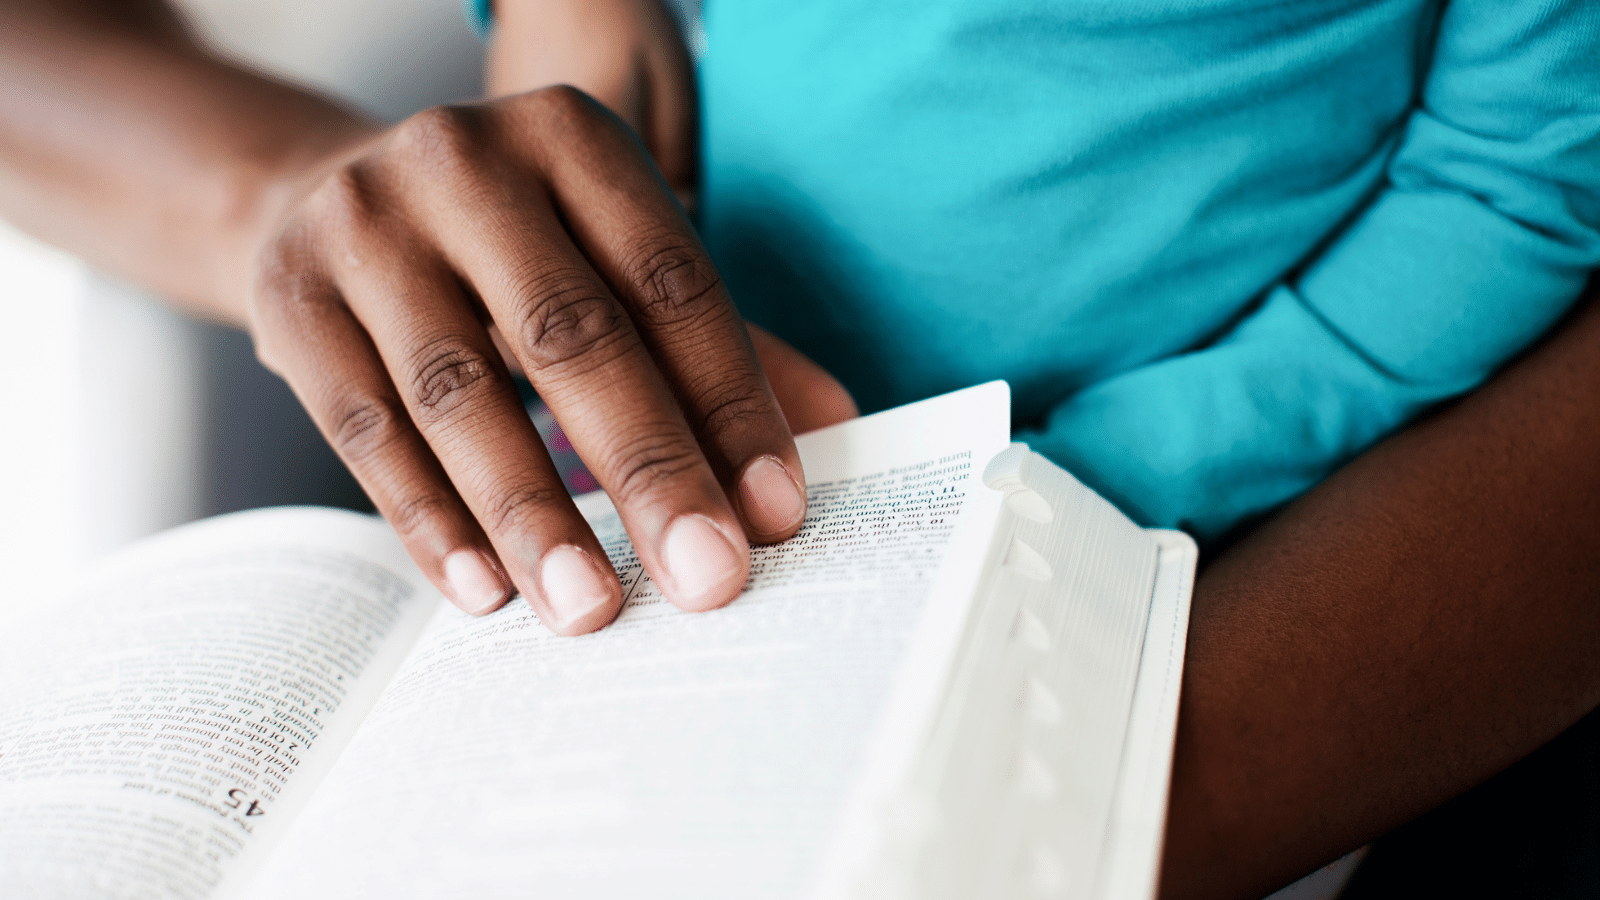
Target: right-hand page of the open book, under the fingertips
{"x":670,"y":755}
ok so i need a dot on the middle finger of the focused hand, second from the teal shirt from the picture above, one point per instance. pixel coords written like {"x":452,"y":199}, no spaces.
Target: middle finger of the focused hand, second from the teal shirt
{"x":583,"y":355}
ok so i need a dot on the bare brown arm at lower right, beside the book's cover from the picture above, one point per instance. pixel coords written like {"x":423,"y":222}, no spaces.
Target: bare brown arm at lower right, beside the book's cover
{"x":1404,"y":632}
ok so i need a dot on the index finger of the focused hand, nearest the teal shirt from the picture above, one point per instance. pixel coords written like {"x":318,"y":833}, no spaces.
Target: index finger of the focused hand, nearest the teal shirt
{"x":639,"y":241}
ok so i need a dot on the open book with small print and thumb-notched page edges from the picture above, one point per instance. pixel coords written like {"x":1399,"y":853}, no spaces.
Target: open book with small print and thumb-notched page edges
{"x":961,"y":680}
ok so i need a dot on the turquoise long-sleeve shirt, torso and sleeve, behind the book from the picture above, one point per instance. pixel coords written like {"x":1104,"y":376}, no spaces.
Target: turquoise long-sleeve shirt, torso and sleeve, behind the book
{"x":1215,"y":246}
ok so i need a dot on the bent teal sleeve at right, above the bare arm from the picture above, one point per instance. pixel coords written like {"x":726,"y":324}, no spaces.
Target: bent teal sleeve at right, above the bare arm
{"x":1486,"y":231}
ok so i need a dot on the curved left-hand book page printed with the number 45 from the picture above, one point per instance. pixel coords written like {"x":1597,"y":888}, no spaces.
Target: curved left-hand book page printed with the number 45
{"x":159,"y":737}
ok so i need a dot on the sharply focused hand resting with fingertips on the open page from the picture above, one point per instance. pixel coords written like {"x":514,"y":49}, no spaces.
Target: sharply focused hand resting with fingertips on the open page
{"x":545,"y":217}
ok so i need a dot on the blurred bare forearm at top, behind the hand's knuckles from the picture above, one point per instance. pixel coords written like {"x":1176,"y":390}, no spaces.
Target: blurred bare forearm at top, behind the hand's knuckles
{"x":625,"y":54}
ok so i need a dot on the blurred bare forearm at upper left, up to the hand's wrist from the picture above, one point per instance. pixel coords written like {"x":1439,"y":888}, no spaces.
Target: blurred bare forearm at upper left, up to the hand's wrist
{"x":127,"y":143}
